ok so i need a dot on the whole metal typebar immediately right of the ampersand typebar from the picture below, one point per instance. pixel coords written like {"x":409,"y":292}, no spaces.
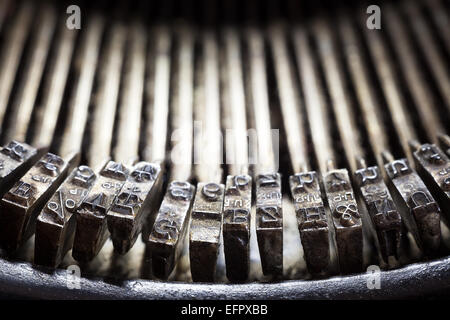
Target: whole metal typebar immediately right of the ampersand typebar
{"x":384,"y":221}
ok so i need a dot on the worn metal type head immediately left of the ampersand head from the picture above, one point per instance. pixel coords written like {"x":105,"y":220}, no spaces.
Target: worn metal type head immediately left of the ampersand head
{"x":312,"y":220}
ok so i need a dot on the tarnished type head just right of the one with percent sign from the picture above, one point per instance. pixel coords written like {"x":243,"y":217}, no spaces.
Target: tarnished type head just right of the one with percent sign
{"x":91,"y":231}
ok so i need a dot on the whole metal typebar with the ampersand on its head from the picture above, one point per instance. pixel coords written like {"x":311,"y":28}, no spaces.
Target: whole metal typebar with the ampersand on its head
{"x":346,"y":218}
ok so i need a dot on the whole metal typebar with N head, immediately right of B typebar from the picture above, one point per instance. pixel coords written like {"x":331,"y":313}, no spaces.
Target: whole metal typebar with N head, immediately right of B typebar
{"x":269,"y":213}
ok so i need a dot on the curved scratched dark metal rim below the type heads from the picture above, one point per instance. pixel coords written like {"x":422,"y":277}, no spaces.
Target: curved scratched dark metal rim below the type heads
{"x":413,"y":281}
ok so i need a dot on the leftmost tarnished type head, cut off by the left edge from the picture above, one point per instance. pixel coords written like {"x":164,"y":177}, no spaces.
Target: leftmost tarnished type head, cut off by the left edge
{"x":15,"y":159}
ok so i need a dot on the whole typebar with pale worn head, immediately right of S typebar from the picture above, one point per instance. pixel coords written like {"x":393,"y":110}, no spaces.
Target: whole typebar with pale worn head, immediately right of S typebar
{"x":206,"y":222}
